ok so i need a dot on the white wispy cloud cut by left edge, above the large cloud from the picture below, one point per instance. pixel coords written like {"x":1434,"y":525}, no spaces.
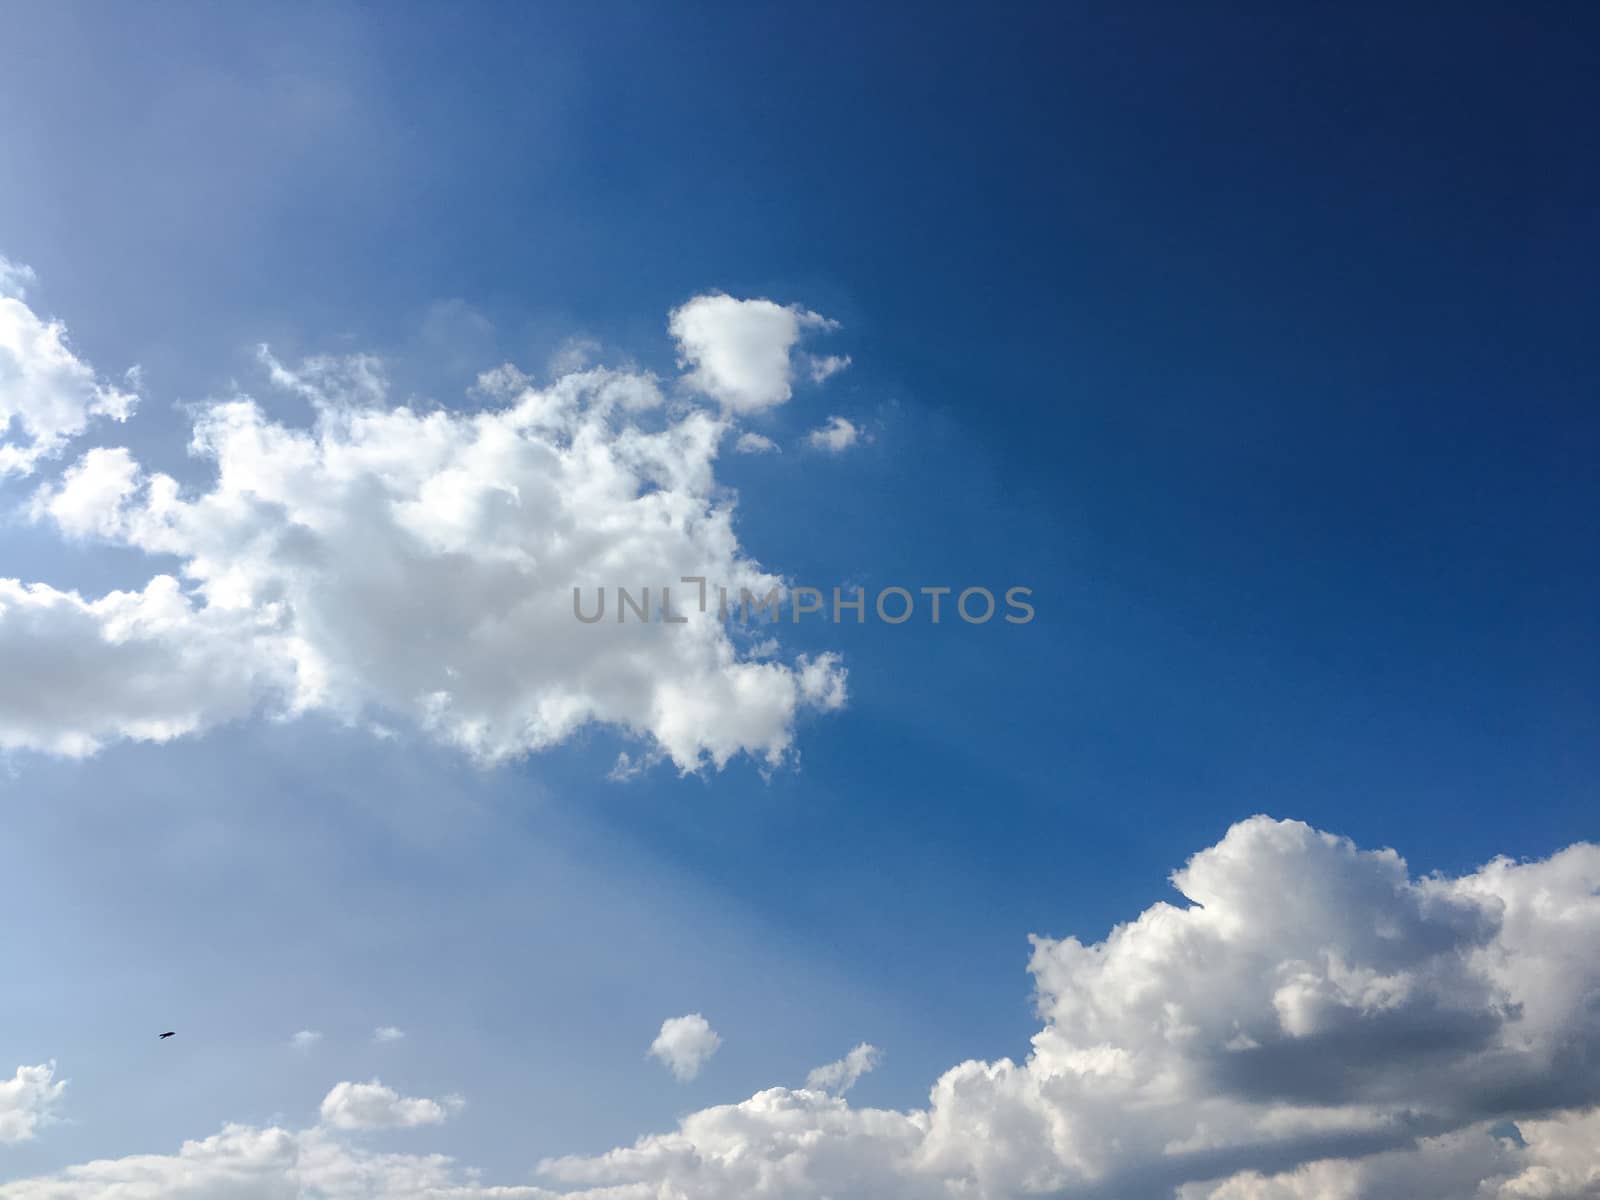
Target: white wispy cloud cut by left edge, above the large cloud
{"x":49,"y":396}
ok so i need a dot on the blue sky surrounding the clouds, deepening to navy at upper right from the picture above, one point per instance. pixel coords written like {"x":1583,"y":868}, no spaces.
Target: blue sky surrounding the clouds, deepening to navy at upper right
{"x":1257,"y":345}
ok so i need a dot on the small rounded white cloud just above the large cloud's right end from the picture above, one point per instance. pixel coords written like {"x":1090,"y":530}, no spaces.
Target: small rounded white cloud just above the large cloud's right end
{"x":740,"y":351}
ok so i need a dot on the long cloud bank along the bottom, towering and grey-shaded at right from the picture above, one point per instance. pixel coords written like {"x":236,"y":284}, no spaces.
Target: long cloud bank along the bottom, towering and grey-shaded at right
{"x":1313,"y":1023}
